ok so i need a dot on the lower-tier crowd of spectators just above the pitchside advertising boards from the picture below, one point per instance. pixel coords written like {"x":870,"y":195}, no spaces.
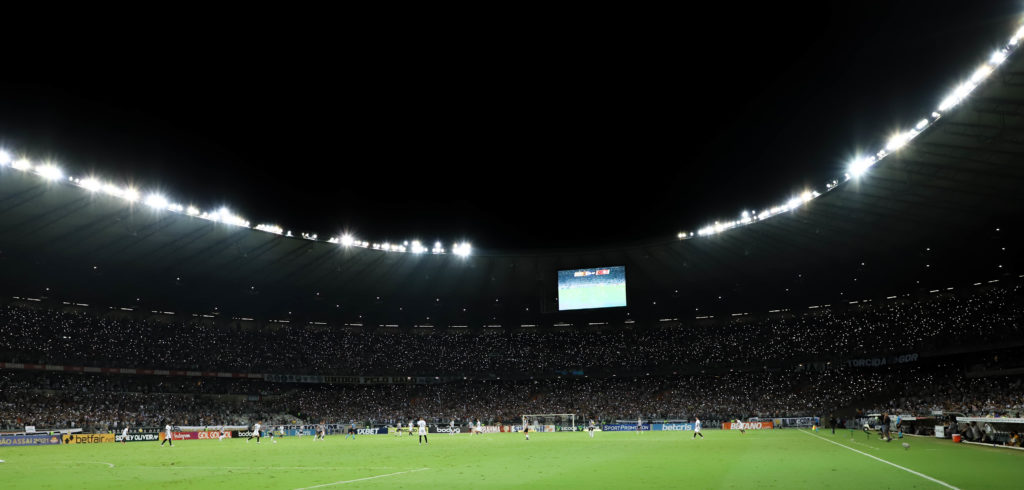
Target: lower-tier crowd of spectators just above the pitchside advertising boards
{"x":103,"y":402}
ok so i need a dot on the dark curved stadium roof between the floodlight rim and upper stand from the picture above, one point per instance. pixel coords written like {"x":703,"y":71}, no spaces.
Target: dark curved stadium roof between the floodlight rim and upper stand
{"x":955,"y":188}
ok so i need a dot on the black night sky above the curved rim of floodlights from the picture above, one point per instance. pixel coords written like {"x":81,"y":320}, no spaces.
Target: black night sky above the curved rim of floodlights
{"x":568,"y":131}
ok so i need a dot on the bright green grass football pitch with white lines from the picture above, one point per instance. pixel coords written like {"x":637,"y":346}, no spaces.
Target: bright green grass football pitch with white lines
{"x":787,"y":459}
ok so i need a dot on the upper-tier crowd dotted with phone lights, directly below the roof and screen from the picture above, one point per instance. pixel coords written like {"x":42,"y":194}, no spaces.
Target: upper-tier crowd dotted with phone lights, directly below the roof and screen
{"x":988,"y":316}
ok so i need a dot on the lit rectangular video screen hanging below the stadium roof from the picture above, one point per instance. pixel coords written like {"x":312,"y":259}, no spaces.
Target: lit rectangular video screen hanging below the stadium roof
{"x":598,"y":288}
